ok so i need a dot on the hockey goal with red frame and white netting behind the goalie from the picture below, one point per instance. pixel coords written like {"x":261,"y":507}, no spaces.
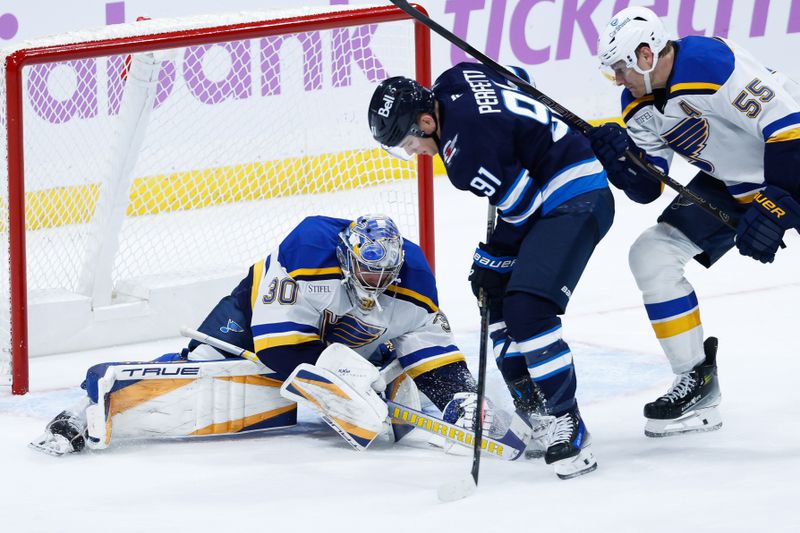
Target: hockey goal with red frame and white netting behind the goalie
{"x":146,"y":165}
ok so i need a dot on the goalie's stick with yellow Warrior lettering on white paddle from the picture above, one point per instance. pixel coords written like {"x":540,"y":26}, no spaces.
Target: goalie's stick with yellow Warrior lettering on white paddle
{"x":509,"y":446}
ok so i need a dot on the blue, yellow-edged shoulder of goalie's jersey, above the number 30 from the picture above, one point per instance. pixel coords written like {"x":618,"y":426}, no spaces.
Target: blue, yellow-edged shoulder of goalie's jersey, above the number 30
{"x":308,"y":253}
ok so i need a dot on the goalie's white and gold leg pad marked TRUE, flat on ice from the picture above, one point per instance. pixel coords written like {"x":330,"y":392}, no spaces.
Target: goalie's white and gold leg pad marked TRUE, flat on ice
{"x":180,"y":398}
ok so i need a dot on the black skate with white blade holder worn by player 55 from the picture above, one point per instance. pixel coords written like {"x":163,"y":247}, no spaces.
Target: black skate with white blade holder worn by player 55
{"x":691,"y":404}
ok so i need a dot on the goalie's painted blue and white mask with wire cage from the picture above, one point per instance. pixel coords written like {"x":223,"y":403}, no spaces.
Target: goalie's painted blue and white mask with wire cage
{"x":370,"y":252}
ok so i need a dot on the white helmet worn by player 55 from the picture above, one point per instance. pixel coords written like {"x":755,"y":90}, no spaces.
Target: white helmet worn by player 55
{"x":627,"y":30}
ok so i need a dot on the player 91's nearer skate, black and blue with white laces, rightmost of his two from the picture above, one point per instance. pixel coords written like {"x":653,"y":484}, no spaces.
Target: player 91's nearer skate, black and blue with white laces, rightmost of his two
{"x":569,"y":449}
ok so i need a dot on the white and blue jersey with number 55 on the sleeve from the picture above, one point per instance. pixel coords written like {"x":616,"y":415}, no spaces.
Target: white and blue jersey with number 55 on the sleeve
{"x":721,"y":108}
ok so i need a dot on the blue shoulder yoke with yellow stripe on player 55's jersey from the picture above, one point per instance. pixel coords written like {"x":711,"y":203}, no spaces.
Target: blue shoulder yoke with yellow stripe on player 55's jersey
{"x":702,"y":66}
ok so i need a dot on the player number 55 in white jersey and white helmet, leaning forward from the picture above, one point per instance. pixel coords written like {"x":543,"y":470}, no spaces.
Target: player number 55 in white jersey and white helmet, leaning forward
{"x":738,"y":122}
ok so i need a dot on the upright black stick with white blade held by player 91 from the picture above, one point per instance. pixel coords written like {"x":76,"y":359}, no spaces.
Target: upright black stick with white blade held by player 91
{"x":466,"y":486}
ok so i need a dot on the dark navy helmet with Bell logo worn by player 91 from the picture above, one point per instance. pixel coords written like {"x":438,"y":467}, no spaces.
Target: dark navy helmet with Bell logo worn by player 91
{"x":394,"y":109}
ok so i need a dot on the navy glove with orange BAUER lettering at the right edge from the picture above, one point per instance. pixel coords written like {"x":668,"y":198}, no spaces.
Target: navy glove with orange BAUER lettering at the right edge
{"x":762,"y":226}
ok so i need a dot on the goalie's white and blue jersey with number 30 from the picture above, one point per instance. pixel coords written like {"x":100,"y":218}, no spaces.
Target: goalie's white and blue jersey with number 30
{"x":299,"y":299}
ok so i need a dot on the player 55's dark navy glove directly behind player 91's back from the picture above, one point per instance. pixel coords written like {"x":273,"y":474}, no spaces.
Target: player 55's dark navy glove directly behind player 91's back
{"x":610,"y":142}
